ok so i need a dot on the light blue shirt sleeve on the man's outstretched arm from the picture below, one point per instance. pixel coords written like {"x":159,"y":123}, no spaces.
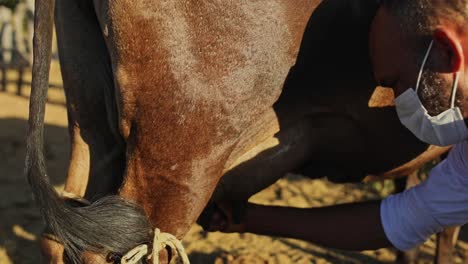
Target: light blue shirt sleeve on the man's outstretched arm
{"x":409,"y":218}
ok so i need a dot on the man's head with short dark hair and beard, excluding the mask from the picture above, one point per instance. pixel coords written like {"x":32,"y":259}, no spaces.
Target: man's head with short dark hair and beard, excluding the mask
{"x":399,"y":38}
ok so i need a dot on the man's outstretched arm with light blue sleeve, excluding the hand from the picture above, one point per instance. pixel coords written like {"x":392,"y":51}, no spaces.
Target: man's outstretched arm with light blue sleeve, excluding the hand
{"x":403,"y":220}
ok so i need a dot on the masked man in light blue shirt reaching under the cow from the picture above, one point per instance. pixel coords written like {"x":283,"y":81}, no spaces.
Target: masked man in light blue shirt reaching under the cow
{"x":420,"y":49}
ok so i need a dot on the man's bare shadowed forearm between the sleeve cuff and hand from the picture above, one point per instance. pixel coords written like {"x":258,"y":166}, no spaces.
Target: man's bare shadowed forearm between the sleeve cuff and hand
{"x":349,"y":226}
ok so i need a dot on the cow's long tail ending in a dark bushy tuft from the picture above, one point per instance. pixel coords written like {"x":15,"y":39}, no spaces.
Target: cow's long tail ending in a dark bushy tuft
{"x":108,"y":225}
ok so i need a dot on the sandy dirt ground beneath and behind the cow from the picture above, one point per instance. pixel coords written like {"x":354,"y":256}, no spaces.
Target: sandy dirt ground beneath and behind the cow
{"x":20,"y":222}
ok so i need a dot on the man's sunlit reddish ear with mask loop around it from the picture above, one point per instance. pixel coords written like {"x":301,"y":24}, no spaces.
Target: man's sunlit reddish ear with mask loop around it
{"x":450,"y":56}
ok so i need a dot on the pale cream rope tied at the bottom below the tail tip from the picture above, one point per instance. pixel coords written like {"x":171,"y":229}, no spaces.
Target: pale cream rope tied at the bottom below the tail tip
{"x":160,"y":241}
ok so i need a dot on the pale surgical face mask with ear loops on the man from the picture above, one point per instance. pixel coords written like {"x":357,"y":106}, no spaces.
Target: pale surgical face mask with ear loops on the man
{"x":445,"y":129}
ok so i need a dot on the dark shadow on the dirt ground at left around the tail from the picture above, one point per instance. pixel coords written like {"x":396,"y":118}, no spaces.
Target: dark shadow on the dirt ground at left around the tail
{"x":20,"y":221}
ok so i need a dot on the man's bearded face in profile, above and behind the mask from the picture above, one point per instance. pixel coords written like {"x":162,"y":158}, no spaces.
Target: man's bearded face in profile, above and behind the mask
{"x":397,"y":58}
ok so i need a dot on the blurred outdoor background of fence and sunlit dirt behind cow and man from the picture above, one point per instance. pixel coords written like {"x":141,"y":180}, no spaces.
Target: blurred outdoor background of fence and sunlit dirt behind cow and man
{"x":20,"y":221}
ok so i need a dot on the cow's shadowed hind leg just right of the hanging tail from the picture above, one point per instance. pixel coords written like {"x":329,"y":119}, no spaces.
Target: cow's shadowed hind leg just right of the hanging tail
{"x":97,"y":151}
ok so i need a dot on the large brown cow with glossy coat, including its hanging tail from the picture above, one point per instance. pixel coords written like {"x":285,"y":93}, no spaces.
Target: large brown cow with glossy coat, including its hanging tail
{"x":165,"y":97}
